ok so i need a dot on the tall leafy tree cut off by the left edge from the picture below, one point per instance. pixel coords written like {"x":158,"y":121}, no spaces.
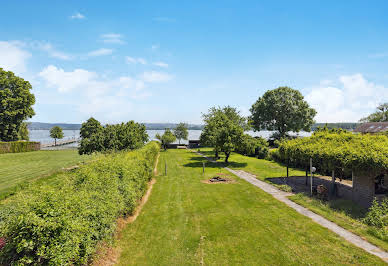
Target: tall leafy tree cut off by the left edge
{"x":16,"y":102}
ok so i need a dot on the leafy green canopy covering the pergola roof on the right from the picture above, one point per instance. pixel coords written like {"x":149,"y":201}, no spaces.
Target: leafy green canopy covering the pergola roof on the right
{"x":340,"y":150}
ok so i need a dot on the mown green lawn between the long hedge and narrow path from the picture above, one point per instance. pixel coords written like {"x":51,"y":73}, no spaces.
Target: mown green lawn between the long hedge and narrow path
{"x":187,"y":222}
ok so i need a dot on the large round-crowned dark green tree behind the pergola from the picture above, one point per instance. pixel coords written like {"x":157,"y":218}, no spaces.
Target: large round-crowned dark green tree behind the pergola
{"x":282,"y":109}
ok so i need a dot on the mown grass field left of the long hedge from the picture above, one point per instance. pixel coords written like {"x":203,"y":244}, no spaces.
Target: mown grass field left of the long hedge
{"x":17,"y":169}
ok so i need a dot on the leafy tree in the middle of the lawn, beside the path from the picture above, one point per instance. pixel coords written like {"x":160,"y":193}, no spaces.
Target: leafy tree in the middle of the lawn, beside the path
{"x":223,"y":130}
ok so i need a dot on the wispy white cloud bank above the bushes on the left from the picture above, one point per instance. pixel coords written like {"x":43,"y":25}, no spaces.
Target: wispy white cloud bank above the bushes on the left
{"x":97,"y":95}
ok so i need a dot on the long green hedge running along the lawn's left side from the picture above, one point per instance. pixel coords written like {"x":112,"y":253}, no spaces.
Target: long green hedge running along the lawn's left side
{"x":62,"y":224}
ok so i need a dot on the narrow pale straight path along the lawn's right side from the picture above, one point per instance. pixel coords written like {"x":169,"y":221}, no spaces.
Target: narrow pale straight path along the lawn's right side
{"x":283,"y":197}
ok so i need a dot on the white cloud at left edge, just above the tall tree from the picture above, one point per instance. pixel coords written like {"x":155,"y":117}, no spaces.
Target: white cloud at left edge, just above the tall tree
{"x":13,"y":57}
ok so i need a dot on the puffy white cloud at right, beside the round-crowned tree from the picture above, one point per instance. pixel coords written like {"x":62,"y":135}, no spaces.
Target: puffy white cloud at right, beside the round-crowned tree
{"x":354,"y":98}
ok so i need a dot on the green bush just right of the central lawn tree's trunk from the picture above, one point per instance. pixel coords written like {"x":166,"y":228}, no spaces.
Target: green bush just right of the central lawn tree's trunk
{"x":254,"y":147}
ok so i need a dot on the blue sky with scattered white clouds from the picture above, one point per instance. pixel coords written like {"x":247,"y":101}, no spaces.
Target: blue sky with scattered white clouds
{"x":169,"y":61}
